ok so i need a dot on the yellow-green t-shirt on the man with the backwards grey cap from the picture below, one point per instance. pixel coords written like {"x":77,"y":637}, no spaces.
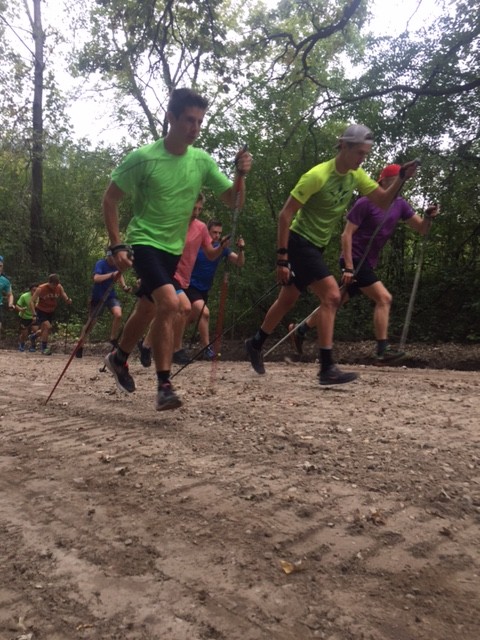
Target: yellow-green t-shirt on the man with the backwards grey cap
{"x":325,"y":194}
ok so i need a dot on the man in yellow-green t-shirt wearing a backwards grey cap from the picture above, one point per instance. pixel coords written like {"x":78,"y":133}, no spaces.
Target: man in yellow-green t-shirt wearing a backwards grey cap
{"x":305,"y":226}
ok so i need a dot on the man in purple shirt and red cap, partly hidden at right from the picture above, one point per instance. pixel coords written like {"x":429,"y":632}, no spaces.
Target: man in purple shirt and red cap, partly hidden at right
{"x":367,"y":230}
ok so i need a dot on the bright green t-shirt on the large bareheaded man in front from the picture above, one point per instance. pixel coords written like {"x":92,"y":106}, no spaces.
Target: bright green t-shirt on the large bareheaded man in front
{"x":164,"y":188}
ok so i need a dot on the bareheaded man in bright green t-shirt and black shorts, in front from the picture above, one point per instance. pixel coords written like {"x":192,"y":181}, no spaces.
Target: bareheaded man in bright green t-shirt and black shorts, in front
{"x":163,"y":179}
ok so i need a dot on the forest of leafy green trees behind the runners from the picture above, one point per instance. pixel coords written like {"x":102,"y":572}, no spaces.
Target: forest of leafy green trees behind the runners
{"x":285,"y":79}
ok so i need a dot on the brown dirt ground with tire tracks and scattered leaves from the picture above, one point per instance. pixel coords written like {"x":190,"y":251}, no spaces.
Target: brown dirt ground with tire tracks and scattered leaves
{"x":266,"y":508}
